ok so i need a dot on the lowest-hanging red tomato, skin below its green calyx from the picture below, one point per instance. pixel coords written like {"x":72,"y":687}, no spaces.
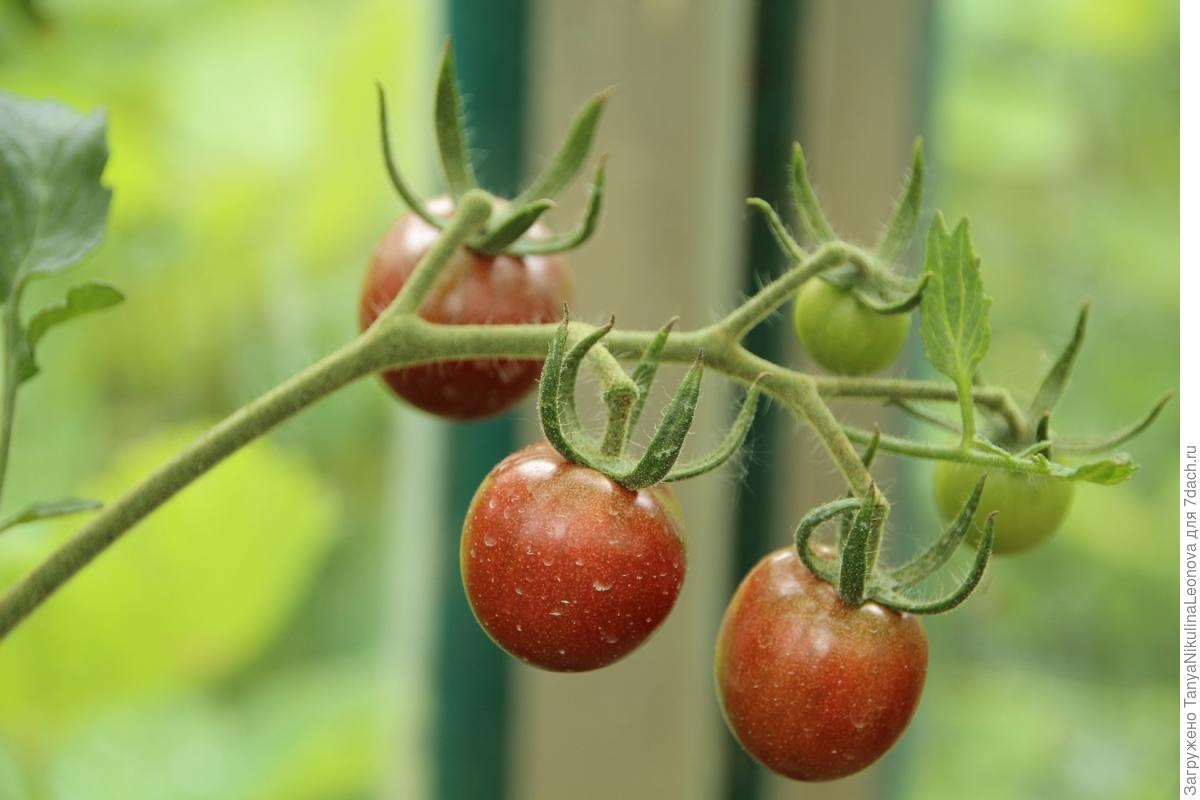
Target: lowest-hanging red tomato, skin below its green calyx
{"x":811,"y":688}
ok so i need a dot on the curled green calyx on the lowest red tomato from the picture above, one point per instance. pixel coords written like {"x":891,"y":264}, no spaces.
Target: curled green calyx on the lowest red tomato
{"x":853,"y":566}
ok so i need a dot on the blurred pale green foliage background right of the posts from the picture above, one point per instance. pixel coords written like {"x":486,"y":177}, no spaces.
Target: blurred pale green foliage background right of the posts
{"x":1055,"y":128}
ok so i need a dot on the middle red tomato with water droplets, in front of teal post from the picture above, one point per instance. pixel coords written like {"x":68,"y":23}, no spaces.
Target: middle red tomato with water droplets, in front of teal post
{"x":566,"y":569}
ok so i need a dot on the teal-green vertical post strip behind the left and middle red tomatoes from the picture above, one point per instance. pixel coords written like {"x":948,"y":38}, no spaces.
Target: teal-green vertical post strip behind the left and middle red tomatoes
{"x":472,"y":707}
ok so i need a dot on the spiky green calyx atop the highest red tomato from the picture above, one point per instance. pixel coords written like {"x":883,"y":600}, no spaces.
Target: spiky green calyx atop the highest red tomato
{"x":513,"y":220}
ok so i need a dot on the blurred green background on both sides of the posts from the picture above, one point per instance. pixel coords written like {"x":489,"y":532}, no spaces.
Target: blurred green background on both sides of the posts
{"x":237,"y":646}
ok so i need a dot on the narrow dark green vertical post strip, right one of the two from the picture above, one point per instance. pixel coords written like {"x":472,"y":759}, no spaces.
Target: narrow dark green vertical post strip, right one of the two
{"x":773,"y":112}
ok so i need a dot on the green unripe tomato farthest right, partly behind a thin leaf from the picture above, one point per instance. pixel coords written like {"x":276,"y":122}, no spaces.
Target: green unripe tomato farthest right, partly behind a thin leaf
{"x":1030,"y":508}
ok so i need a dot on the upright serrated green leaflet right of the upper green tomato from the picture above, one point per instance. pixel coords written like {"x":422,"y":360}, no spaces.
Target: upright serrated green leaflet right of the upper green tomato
{"x":955,"y":310}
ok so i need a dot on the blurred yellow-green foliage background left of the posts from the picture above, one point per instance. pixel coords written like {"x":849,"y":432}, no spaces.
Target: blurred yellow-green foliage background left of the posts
{"x":229,"y":648}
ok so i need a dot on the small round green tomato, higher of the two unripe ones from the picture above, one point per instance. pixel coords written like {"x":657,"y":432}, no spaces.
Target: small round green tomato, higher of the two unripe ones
{"x":842,"y":334}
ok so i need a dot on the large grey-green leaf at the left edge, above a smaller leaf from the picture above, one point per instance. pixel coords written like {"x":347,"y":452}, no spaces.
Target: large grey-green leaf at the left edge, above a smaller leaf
{"x":53,"y":207}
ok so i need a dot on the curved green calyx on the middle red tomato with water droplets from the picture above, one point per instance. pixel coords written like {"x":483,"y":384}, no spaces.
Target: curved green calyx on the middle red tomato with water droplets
{"x":626,"y":400}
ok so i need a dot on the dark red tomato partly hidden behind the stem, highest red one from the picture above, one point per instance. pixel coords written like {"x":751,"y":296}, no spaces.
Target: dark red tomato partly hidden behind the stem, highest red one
{"x":475,"y":290}
